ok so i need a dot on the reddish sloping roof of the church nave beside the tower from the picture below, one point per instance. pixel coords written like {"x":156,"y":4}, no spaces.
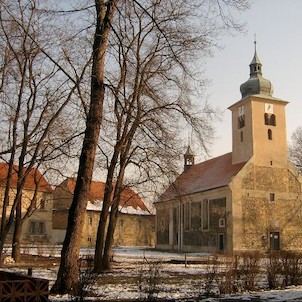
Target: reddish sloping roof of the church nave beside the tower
{"x":214,"y":173}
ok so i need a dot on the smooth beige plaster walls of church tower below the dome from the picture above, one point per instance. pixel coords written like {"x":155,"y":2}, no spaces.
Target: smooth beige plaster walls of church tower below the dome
{"x":252,"y":138}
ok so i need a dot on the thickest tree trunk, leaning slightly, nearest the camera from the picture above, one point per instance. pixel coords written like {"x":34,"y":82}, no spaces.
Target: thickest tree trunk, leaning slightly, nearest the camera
{"x":67,"y":278}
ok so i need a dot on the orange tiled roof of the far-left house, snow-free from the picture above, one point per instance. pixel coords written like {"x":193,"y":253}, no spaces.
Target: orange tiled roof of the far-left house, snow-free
{"x":33,"y":177}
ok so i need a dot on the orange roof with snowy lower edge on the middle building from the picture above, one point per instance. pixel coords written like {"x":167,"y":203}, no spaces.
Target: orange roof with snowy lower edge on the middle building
{"x":128,"y":197}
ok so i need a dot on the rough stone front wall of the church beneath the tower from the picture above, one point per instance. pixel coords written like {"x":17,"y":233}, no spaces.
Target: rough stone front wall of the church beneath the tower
{"x":271,"y":204}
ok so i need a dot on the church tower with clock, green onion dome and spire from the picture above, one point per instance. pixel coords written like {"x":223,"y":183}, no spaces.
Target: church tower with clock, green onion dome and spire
{"x":258,"y":122}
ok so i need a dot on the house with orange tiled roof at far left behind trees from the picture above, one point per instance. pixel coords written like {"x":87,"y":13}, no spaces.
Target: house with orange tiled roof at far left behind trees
{"x":36,"y":198}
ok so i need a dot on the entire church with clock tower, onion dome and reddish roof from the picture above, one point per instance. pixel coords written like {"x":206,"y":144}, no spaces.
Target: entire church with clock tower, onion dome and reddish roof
{"x":246,"y":200}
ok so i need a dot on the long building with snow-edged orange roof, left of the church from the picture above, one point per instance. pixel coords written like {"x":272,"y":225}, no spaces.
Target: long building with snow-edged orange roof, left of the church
{"x":135,"y":224}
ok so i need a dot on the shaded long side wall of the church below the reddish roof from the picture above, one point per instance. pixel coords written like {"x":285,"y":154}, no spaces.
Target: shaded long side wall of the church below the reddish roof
{"x":201,"y":225}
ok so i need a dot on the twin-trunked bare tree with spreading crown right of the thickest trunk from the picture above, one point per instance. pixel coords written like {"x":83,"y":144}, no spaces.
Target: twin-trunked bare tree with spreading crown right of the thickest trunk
{"x":151,"y":97}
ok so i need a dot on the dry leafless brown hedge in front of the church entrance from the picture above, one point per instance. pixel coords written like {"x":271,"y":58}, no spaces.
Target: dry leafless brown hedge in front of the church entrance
{"x":251,"y":271}
